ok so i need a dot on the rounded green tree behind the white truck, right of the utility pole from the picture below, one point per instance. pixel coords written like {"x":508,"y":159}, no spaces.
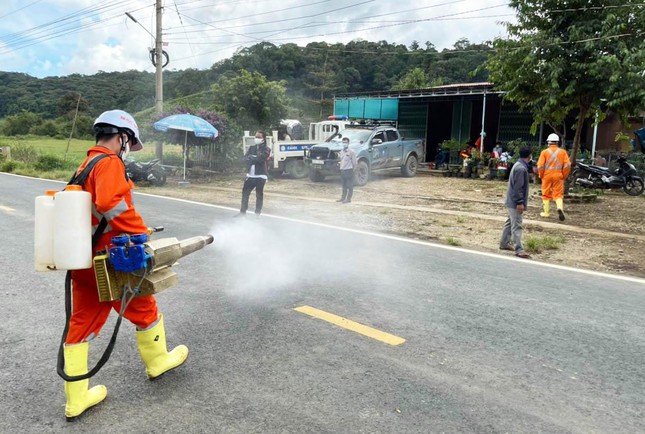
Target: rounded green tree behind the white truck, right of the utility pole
{"x":251,"y":99}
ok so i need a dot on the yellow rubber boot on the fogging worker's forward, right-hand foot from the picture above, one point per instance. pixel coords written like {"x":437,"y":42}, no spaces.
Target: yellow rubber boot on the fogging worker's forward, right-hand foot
{"x":152,"y":347}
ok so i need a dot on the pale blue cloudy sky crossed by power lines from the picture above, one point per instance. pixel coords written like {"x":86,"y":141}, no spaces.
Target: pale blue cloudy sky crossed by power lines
{"x":62,"y":37}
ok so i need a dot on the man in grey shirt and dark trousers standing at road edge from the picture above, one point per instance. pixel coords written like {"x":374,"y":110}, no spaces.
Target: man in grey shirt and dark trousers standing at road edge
{"x":517,"y":198}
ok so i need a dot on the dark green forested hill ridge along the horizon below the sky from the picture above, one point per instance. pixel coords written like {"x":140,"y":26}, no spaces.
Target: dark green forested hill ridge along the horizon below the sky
{"x":317,"y":71}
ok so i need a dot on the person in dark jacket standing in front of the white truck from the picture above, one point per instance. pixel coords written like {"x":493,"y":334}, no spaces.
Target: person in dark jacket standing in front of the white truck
{"x":257,"y":164}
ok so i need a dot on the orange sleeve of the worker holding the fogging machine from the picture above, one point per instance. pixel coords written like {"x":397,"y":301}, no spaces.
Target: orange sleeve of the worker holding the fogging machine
{"x":113,"y":197}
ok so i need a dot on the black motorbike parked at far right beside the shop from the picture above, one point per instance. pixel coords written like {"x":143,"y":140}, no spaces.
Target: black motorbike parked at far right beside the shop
{"x":598,"y":177}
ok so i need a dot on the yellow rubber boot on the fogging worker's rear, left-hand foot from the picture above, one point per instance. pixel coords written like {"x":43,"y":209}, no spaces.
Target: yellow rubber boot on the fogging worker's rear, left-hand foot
{"x":79,"y":398}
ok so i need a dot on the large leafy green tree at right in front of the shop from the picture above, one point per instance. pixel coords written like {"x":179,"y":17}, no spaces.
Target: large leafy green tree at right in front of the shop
{"x":561,"y":61}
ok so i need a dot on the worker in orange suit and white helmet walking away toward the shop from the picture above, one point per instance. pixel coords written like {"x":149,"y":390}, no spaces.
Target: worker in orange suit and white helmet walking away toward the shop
{"x":553,"y":168}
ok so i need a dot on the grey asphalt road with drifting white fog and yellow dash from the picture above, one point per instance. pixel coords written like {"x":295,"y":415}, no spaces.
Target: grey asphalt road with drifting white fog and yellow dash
{"x":492,"y":344}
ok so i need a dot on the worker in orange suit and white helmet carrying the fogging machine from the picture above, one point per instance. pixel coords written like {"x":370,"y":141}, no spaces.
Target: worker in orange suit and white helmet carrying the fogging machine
{"x":116,"y":134}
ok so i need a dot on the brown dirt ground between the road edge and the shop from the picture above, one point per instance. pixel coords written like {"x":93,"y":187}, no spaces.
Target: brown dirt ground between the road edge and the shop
{"x":607,"y":235}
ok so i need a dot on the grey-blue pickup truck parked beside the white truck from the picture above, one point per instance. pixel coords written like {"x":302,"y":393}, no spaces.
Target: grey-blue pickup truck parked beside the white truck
{"x":377,"y":147}
